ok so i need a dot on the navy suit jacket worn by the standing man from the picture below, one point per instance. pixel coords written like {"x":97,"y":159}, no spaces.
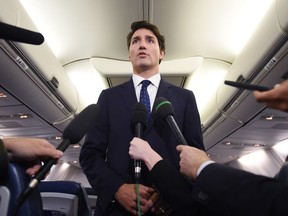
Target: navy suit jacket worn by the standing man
{"x":104,"y":156}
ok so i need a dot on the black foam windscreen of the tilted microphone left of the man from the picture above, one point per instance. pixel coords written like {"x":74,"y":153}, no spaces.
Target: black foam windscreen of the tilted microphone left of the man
{"x":79,"y":126}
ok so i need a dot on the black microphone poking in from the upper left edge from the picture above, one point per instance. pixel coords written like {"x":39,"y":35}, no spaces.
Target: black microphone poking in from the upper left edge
{"x":14,"y":33}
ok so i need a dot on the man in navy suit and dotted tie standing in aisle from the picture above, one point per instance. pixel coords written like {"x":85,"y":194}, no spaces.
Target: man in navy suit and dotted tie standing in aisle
{"x":104,"y":156}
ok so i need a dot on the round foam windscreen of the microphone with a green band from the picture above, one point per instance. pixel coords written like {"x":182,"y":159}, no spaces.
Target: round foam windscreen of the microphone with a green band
{"x":163,"y":107}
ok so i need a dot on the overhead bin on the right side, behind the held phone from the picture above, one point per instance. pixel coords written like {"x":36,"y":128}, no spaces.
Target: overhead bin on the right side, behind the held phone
{"x":263,"y":61}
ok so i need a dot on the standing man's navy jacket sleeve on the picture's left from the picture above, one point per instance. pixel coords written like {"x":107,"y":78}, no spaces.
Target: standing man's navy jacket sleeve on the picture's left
{"x":93,"y":158}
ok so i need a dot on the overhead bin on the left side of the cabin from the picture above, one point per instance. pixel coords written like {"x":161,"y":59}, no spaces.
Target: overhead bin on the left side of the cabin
{"x":42,"y":83}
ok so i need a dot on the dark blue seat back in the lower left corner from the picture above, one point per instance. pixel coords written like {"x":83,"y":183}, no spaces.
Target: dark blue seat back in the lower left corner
{"x":17,"y":181}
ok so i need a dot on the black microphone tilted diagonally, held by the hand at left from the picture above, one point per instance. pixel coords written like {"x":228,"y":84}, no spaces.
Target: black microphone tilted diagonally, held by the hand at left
{"x":72,"y":134}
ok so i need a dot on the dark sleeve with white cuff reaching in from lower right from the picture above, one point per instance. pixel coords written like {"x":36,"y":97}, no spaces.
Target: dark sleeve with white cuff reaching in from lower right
{"x":237,"y":192}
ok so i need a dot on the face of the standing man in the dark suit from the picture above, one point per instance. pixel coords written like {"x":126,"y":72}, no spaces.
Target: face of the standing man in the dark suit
{"x":144,"y":51}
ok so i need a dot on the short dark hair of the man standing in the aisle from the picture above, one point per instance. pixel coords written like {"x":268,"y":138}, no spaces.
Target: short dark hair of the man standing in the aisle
{"x":146,"y":25}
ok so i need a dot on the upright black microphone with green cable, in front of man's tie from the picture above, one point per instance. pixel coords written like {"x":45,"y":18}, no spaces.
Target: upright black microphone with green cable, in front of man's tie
{"x":138,"y":123}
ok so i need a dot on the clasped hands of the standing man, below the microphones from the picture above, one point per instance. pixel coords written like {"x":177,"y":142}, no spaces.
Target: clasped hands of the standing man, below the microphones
{"x":127,"y":198}
